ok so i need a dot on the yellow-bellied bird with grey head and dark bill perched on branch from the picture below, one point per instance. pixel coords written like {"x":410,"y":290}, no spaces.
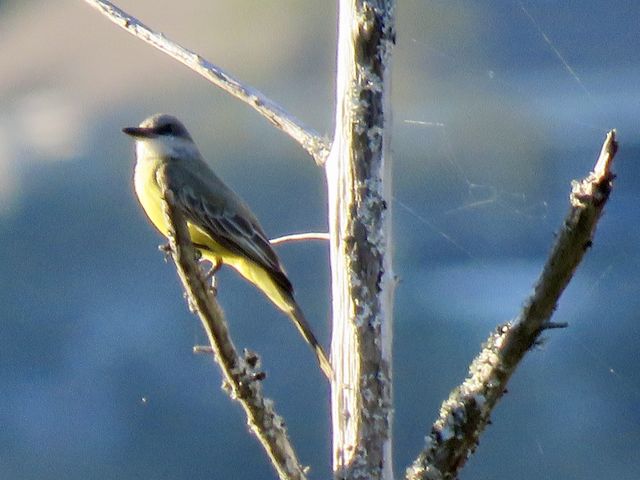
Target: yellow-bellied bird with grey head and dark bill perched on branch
{"x":221,"y":225}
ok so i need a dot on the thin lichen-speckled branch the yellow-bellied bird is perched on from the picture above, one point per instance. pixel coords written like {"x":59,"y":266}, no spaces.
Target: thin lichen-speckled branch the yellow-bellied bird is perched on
{"x":242,"y":378}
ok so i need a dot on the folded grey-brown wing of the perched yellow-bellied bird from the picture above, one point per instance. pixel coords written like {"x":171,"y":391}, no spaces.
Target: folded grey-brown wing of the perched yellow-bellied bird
{"x":207,"y":202}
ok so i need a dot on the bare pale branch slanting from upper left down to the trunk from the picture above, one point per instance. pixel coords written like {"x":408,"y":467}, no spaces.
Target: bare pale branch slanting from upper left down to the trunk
{"x":317,"y":146}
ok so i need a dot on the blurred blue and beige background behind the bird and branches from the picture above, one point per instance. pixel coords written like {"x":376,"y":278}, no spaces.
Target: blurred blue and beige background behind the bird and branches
{"x":498,"y":105}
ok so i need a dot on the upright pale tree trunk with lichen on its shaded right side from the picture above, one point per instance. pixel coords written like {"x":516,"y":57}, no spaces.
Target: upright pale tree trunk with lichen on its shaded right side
{"x":359,"y":189}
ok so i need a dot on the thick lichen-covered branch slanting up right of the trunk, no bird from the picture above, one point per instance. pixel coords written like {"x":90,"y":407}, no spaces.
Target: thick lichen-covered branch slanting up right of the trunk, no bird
{"x":464,"y":415}
